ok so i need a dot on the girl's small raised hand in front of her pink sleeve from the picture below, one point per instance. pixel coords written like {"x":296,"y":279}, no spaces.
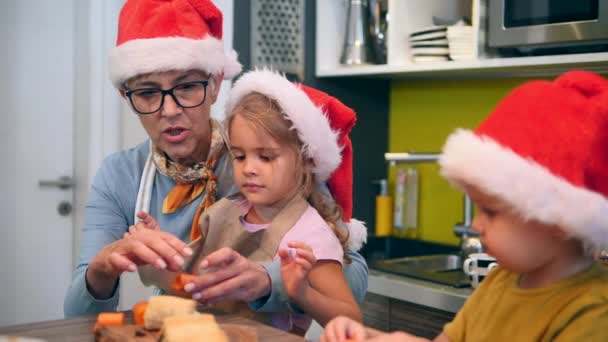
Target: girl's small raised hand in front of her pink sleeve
{"x":295,"y":268}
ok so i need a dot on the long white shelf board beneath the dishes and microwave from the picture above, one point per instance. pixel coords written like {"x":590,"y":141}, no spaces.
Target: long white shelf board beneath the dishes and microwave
{"x":492,"y":67}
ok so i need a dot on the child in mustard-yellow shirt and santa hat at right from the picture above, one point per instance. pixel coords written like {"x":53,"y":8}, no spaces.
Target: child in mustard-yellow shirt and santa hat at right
{"x":537,"y":170}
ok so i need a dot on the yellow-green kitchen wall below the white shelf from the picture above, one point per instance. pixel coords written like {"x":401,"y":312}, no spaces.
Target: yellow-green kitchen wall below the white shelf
{"x":422,"y":114}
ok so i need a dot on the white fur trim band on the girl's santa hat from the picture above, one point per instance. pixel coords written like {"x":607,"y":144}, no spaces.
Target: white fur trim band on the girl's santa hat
{"x":312,"y":125}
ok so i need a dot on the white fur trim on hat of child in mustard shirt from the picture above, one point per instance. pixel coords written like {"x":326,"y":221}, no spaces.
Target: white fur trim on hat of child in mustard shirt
{"x":530,"y":188}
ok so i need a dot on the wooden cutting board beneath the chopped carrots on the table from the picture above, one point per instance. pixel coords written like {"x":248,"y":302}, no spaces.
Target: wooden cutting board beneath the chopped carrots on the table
{"x":132,"y":332}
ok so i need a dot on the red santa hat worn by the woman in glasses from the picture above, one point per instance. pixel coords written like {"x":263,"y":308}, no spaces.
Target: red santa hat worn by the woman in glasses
{"x":156,"y":36}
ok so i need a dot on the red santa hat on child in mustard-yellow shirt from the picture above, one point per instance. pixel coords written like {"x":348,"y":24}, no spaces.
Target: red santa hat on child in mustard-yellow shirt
{"x":544,"y":151}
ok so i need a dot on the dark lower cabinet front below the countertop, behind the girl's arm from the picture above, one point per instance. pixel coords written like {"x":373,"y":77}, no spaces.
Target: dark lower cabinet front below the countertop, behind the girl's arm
{"x":389,"y":314}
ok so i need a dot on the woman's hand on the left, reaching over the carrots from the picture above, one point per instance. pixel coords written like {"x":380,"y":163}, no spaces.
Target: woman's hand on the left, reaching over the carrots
{"x":143,"y":244}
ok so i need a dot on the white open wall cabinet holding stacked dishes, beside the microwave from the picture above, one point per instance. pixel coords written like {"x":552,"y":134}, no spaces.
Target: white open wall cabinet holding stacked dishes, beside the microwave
{"x":405,"y":16}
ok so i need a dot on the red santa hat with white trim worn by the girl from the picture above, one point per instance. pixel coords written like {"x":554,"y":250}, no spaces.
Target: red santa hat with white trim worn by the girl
{"x":323,"y":124}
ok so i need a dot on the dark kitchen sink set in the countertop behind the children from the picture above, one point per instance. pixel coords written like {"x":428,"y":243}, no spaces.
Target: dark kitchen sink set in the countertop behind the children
{"x":439,"y":268}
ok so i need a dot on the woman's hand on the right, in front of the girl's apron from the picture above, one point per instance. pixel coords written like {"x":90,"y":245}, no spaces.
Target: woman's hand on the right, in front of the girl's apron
{"x":228,"y":275}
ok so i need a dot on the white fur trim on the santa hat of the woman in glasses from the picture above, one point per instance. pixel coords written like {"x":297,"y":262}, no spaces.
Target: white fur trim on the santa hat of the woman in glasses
{"x":142,"y":56}
